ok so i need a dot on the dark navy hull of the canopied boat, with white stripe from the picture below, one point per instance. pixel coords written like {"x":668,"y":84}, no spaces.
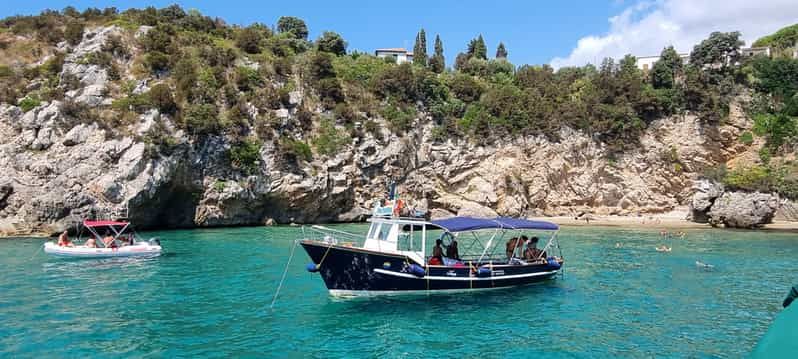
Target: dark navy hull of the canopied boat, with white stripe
{"x":355,"y":271}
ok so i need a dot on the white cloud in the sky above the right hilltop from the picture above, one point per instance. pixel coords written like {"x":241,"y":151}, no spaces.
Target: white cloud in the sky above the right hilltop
{"x":644,"y":28}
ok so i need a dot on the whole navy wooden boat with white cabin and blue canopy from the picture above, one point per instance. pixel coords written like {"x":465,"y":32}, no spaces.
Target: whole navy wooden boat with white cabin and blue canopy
{"x":396,"y":258}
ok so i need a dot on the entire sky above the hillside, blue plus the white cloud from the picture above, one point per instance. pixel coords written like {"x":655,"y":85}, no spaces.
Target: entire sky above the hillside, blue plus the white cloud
{"x":535,"y":32}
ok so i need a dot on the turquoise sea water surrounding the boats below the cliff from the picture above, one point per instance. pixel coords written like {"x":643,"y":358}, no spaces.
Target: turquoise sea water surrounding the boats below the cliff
{"x":209,"y":296}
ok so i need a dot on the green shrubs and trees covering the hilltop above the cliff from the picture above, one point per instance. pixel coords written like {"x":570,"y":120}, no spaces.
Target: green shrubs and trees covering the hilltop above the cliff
{"x":217,"y":79}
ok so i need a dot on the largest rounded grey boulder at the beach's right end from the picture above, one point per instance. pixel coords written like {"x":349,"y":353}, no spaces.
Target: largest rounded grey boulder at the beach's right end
{"x":743,"y":210}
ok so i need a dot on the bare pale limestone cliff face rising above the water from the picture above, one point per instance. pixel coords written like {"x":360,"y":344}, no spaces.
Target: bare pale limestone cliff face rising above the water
{"x":57,"y":167}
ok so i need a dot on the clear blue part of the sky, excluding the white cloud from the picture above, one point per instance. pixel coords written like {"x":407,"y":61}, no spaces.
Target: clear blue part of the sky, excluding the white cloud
{"x":532,"y":32}
